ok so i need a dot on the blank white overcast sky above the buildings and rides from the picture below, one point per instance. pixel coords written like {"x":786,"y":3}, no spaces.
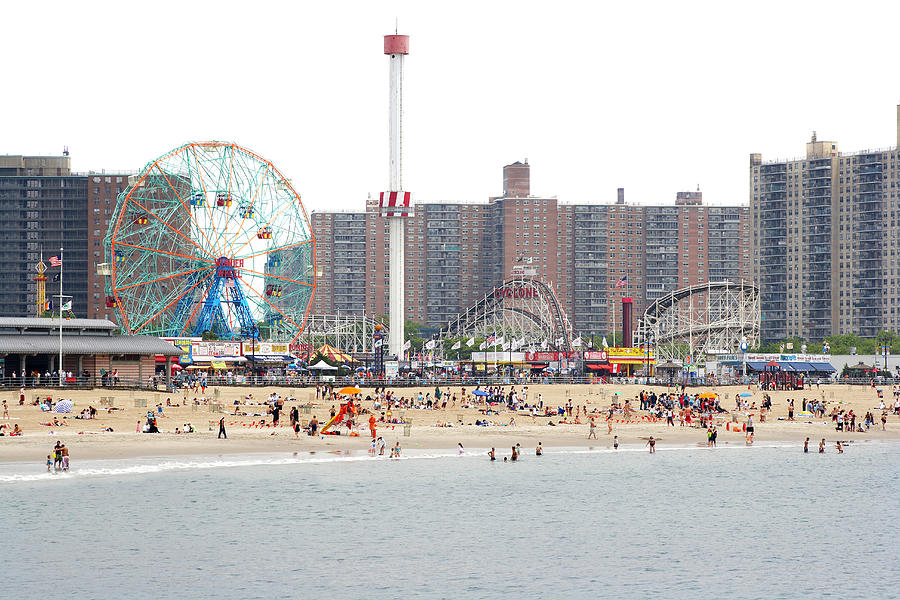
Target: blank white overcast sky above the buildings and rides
{"x":653,"y":97}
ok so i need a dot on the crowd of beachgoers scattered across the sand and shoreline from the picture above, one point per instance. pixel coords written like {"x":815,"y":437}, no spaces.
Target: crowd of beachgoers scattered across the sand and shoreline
{"x":498,"y":406}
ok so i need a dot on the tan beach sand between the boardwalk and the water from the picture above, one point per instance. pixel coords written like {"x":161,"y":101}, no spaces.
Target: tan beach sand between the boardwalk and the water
{"x":87,"y":440}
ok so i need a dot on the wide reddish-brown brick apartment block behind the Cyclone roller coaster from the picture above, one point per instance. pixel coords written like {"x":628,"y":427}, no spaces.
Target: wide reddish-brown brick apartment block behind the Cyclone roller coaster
{"x":457,"y":251}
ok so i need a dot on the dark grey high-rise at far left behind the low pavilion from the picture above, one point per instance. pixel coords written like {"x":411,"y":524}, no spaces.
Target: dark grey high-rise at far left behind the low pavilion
{"x":43,"y":207}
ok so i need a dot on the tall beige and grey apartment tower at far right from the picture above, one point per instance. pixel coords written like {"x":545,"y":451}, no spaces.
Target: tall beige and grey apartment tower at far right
{"x":825,"y":249}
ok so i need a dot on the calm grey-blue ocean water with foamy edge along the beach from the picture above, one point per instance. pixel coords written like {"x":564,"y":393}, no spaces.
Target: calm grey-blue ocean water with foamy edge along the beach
{"x":688,"y":522}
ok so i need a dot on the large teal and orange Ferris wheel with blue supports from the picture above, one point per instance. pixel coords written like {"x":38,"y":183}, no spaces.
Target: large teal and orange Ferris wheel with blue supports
{"x":211,"y":238}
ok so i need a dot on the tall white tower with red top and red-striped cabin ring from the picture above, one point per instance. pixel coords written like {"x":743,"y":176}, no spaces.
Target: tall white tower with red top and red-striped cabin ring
{"x":395,"y":204}
